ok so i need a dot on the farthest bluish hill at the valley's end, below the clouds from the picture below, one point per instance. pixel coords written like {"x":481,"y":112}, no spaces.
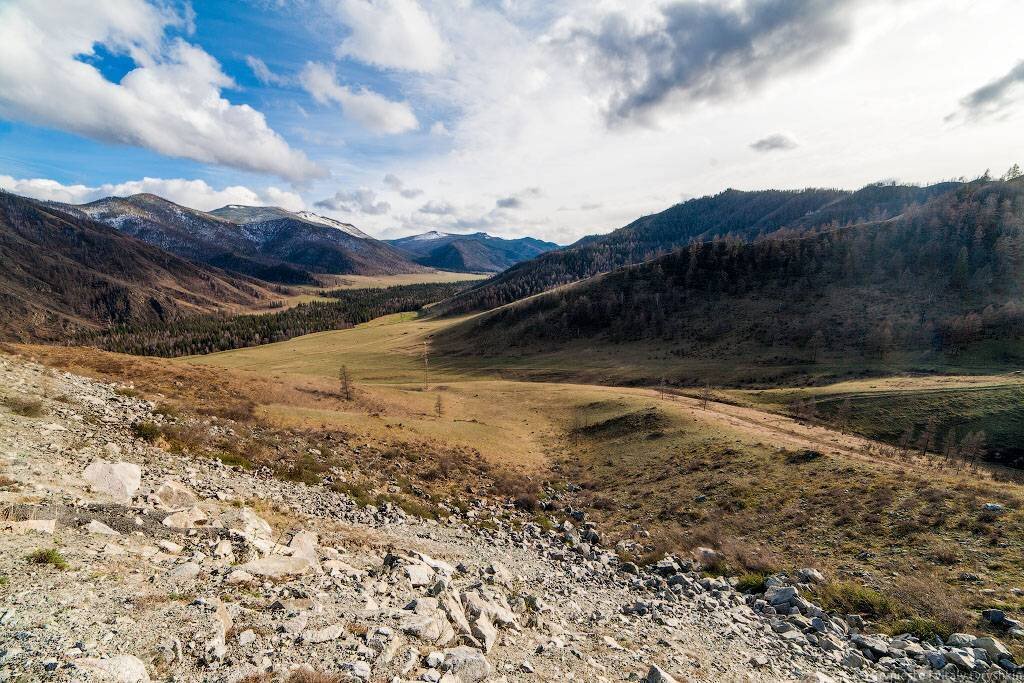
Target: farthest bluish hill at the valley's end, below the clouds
{"x":479,"y":252}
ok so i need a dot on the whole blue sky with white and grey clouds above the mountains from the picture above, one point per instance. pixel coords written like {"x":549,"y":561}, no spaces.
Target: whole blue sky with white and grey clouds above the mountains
{"x":518,"y":118}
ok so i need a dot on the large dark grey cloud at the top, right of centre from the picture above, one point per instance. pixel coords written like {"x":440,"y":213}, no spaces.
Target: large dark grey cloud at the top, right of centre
{"x":694,"y":52}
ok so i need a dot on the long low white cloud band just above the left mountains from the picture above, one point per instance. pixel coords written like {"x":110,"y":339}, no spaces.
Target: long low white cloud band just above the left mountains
{"x":195,"y":194}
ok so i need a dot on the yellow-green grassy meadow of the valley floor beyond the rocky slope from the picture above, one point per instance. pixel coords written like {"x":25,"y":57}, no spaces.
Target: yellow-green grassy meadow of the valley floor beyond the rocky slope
{"x":740,"y":475}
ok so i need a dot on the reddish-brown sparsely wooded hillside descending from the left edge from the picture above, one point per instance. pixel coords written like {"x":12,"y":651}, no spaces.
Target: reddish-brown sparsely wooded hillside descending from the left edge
{"x":63,"y":273}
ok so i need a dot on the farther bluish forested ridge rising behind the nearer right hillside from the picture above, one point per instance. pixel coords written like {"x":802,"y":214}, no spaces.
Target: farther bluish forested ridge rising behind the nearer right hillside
{"x":743,"y":216}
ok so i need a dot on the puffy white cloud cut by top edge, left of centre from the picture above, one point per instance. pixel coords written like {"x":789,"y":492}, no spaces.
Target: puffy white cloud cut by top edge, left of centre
{"x":393,"y":34}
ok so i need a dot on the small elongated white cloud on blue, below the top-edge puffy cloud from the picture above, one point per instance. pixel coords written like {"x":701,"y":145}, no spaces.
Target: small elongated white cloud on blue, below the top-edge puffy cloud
{"x":372,"y":111}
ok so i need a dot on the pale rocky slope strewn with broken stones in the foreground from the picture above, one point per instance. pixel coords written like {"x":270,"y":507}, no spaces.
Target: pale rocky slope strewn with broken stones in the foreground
{"x":122,"y":562}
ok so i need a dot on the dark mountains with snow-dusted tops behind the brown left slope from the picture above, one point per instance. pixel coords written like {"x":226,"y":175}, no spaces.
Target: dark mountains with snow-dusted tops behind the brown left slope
{"x":264,"y":242}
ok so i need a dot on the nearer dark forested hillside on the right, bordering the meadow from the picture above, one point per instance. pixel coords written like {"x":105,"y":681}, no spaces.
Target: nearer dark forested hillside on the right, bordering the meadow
{"x":943,"y":279}
